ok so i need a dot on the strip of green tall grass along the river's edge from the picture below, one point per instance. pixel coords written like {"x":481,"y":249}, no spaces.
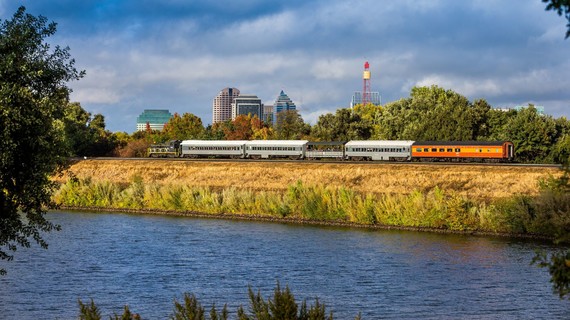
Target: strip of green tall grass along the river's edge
{"x":546,"y":214}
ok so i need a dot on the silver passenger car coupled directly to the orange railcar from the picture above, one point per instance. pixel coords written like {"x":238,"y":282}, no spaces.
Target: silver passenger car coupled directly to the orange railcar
{"x":384,"y":150}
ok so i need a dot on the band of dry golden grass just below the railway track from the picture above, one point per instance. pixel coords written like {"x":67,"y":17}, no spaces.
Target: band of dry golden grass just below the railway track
{"x":473,"y":181}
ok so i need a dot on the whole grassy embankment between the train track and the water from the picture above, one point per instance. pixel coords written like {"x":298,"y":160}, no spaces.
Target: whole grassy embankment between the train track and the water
{"x":461,"y":198}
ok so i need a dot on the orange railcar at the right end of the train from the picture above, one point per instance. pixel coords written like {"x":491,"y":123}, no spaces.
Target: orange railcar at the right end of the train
{"x":499,"y":151}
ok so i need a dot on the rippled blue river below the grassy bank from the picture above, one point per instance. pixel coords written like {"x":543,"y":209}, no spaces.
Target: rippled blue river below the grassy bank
{"x":147,"y":261}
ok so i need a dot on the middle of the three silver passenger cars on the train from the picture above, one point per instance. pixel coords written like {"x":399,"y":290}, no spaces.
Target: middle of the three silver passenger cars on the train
{"x":266,"y":149}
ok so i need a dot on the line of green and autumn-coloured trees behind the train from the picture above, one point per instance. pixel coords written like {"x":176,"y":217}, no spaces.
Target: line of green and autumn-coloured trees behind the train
{"x":430,"y":113}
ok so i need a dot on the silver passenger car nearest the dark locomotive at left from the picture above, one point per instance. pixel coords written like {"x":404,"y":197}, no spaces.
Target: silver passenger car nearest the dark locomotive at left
{"x":234,"y":149}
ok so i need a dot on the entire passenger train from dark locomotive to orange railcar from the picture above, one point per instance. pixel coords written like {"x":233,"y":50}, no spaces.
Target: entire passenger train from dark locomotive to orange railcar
{"x":354,"y":150}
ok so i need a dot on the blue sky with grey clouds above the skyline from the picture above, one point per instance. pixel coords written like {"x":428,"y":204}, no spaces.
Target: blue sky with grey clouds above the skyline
{"x":179,"y":54}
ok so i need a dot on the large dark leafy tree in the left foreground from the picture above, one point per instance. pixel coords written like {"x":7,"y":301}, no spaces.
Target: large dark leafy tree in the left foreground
{"x":33,"y":94}
